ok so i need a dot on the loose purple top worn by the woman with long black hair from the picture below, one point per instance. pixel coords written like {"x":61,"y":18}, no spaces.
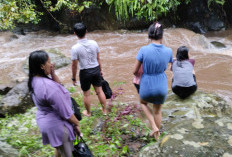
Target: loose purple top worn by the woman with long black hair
{"x":54,"y":109}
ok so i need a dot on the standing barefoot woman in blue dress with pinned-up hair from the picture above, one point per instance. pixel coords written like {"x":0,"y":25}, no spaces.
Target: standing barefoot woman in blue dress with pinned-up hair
{"x":153,"y":86}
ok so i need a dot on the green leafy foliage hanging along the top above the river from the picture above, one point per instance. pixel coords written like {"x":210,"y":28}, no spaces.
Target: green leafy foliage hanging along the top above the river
{"x":25,"y":11}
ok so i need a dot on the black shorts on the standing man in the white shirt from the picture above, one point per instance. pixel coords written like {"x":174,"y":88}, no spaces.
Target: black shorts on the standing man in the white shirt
{"x":90,"y":76}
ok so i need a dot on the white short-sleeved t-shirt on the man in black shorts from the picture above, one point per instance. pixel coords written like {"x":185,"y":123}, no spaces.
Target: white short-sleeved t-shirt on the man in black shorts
{"x":85,"y":51}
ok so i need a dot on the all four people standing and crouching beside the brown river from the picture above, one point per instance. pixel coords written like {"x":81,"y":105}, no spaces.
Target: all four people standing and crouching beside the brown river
{"x":55,"y":118}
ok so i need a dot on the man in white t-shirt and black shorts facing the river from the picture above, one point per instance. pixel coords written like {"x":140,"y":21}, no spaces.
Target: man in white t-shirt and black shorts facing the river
{"x":86,"y":53}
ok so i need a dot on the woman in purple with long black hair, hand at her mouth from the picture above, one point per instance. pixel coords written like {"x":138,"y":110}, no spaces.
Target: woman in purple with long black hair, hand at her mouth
{"x":54,"y":116}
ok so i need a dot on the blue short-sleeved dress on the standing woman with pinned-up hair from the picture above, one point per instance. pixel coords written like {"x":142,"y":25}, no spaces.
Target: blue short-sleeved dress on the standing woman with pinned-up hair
{"x":155,"y":59}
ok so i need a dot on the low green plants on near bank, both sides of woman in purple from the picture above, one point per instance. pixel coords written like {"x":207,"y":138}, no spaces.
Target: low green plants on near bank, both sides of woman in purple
{"x":111,"y":135}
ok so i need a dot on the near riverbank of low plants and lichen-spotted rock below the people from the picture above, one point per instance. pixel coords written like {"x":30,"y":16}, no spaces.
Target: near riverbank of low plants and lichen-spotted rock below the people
{"x":200,"y":125}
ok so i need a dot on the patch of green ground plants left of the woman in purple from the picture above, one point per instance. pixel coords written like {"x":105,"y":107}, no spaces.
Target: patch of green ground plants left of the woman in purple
{"x":22,"y":133}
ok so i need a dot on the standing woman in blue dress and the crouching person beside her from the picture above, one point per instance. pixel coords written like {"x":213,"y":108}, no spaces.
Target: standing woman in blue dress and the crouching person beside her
{"x":150,"y":78}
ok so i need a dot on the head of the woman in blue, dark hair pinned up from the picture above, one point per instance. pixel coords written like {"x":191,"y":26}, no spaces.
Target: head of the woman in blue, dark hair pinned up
{"x":155,"y":31}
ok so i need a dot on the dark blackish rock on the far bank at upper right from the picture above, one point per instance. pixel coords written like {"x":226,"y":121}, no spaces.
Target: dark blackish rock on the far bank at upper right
{"x":200,"y":17}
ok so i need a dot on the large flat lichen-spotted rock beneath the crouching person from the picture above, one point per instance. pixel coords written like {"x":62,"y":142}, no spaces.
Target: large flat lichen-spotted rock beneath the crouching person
{"x":199,"y":126}
